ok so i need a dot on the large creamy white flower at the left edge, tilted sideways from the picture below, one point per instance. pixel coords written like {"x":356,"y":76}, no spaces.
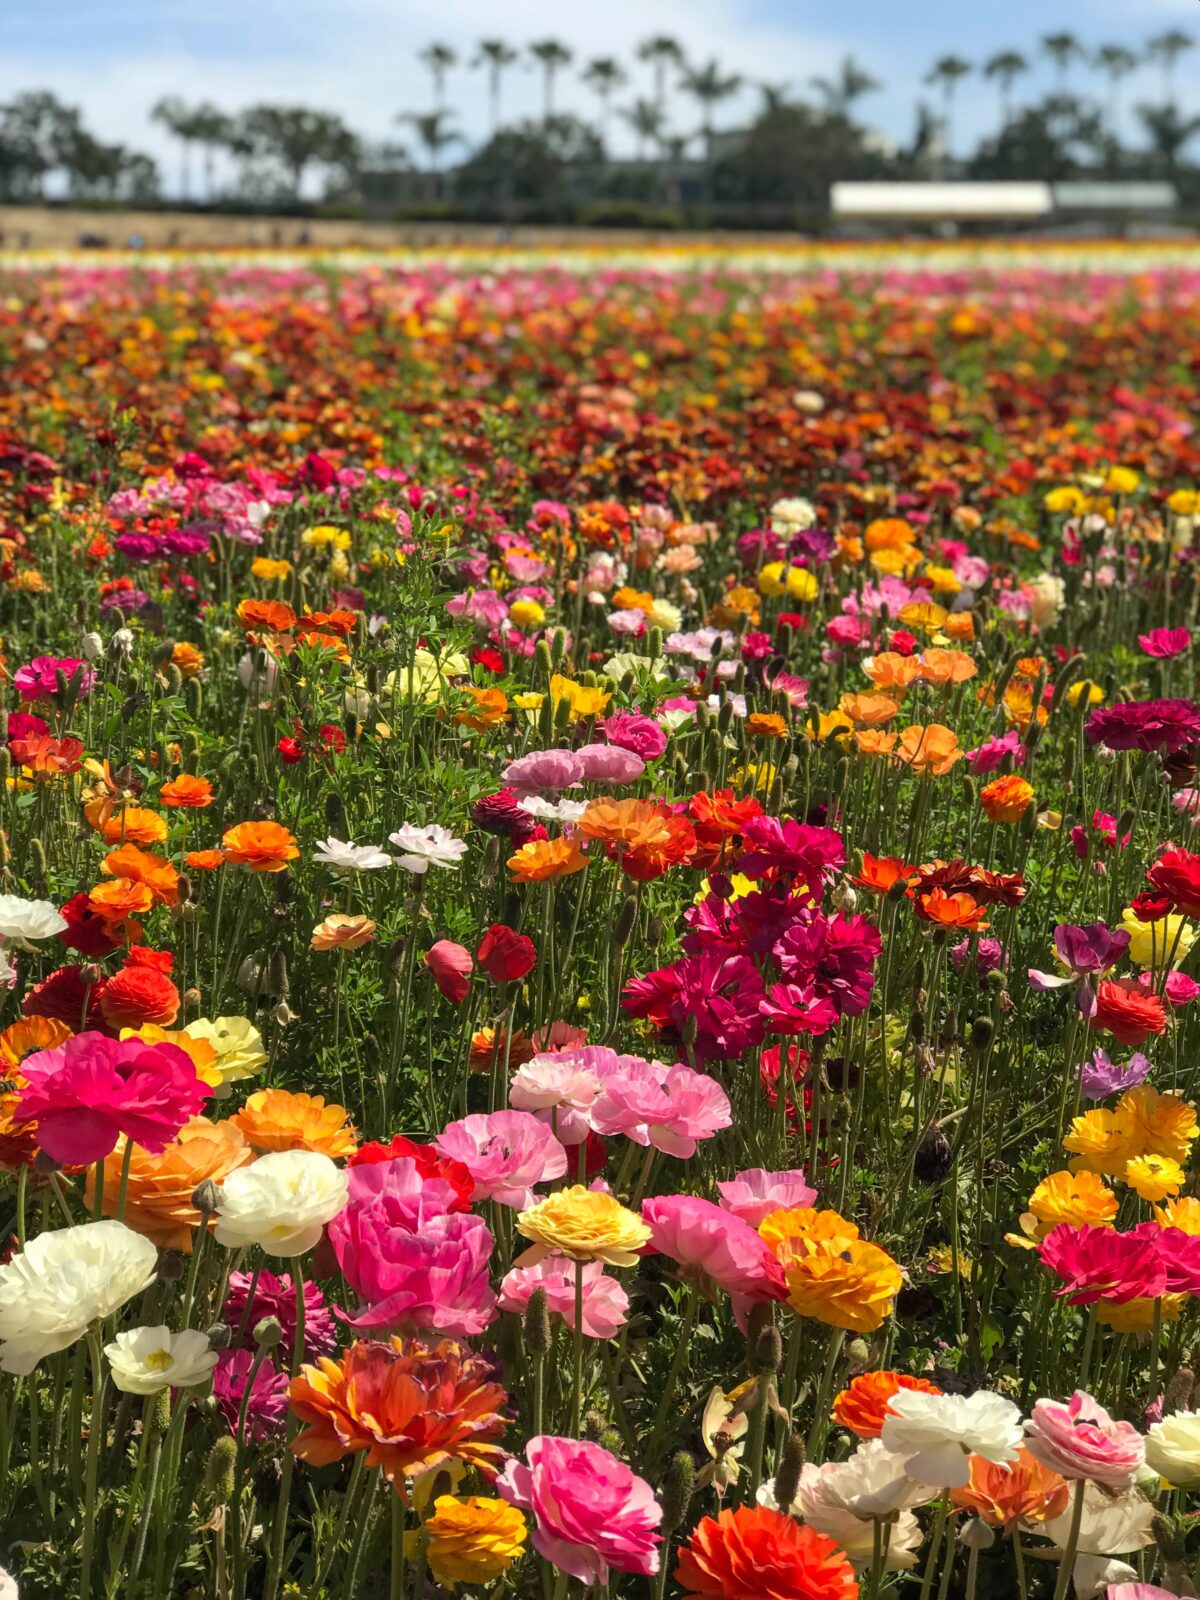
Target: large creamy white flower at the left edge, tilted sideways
{"x":63,"y":1282}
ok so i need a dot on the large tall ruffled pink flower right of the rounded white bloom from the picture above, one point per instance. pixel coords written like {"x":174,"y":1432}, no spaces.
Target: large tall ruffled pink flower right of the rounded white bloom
{"x":415,"y":1263}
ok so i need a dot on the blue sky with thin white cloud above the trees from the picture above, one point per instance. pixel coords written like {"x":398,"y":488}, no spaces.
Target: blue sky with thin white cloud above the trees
{"x":114,"y":58}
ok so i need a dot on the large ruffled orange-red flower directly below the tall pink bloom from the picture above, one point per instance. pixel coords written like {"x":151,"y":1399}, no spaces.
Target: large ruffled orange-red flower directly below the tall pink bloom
{"x":410,"y":1406}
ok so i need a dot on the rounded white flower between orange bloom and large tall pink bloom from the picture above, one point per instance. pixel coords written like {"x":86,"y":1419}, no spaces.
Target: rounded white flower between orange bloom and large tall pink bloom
{"x":281,"y":1202}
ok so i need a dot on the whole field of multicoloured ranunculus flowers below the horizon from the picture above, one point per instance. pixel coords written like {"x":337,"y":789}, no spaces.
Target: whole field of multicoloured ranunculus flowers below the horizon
{"x":601,"y":878}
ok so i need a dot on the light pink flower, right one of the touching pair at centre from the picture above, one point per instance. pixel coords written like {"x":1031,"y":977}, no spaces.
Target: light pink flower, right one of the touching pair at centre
{"x":671,"y":1108}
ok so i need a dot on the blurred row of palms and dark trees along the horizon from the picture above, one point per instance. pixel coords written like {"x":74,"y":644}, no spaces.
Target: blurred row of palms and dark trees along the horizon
{"x":786,"y":153}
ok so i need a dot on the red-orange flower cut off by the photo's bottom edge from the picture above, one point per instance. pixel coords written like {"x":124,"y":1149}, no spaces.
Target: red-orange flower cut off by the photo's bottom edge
{"x":761,"y":1554}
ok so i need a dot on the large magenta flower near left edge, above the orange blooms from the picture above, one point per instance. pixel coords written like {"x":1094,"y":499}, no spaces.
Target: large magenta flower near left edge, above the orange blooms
{"x":92,"y":1089}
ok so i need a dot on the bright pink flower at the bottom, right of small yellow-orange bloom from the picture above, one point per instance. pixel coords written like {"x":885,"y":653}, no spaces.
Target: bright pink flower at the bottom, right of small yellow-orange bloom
{"x":591,"y":1511}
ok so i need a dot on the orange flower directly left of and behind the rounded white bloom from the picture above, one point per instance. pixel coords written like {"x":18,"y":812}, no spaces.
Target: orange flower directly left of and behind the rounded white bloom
{"x":159,"y":1199}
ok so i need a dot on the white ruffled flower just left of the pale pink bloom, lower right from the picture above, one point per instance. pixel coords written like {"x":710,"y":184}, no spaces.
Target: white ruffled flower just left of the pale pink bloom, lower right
{"x":938,"y":1433}
